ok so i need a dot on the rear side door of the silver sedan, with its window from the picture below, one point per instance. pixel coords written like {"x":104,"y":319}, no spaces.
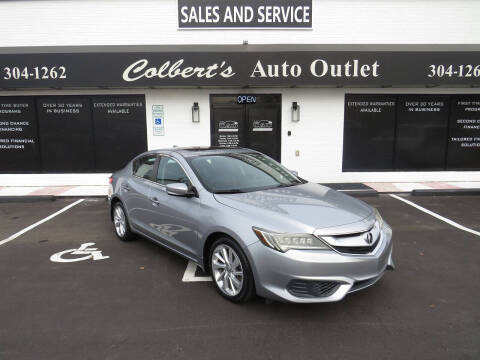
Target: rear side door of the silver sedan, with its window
{"x":135,"y":191}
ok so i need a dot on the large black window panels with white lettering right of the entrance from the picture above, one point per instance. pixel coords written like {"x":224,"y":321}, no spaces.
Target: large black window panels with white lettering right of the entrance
{"x":411,"y":132}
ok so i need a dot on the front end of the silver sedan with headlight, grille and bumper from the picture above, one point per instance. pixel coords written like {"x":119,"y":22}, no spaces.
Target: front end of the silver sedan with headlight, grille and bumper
{"x":325,"y":270}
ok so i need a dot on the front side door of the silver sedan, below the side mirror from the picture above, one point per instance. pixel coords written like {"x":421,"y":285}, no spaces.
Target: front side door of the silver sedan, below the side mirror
{"x":174,"y":218}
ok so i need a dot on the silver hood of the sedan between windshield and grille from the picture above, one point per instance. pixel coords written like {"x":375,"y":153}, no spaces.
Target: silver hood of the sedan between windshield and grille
{"x":309,"y":206}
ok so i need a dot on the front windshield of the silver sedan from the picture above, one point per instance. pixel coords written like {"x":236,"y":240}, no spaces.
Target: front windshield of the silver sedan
{"x":241,"y":172}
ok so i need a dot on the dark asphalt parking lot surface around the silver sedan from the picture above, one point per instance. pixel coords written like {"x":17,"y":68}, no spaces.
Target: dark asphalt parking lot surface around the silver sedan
{"x":134,"y":305}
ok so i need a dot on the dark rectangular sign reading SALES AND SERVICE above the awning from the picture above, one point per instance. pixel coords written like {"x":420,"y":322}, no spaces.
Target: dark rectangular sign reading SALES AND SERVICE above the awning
{"x":244,"y":14}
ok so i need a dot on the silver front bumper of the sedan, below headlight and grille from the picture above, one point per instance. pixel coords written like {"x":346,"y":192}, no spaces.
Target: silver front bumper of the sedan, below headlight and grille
{"x":275,"y":272}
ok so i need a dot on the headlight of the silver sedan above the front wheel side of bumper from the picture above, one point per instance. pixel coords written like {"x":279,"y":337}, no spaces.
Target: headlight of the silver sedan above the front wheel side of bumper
{"x":284,"y":242}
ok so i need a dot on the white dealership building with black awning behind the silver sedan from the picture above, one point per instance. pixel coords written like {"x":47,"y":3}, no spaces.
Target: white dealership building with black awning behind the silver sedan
{"x":340,"y":91}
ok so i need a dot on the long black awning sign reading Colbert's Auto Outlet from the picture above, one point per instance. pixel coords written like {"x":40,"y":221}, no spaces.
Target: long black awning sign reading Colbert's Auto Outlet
{"x":237,"y":66}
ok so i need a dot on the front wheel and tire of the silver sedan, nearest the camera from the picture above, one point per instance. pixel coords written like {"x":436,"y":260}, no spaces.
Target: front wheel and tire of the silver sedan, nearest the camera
{"x":226,"y":275}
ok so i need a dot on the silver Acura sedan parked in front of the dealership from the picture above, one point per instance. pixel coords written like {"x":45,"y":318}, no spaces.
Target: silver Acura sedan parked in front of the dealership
{"x":257,"y":227}
